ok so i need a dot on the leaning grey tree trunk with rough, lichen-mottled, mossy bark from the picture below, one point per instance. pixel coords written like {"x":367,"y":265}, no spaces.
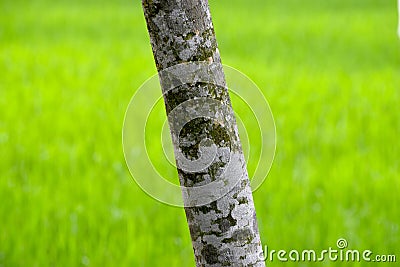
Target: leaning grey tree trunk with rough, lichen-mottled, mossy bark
{"x":224,"y":232}
